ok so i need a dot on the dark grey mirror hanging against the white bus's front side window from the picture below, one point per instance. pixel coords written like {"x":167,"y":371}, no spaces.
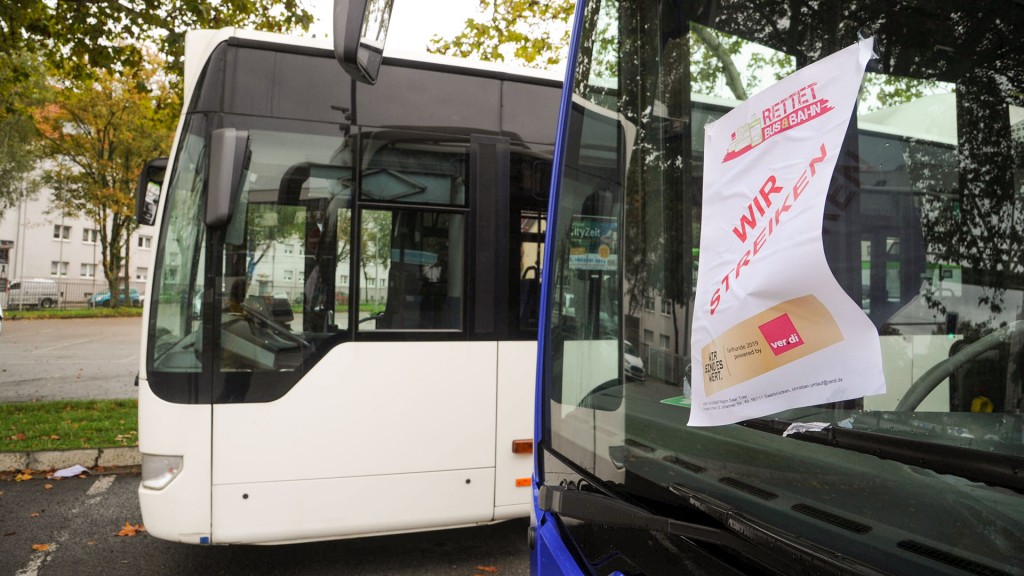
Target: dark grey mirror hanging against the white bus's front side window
{"x":230,"y":157}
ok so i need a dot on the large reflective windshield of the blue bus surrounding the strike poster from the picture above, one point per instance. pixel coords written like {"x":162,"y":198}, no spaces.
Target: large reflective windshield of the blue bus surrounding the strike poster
{"x":923,"y":230}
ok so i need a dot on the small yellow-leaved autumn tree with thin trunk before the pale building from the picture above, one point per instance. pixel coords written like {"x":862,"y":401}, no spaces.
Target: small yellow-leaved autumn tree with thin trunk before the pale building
{"x":96,"y":136}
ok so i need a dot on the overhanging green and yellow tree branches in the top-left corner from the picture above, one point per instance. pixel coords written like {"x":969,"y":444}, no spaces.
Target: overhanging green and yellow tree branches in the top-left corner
{"x":83,"y":39}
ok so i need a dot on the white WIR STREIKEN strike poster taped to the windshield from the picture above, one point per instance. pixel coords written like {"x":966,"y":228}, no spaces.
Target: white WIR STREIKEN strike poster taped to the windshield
{"x":773,"y":328}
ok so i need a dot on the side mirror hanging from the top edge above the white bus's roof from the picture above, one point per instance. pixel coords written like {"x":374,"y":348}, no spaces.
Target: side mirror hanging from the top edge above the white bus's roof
{"x":360,"y":32}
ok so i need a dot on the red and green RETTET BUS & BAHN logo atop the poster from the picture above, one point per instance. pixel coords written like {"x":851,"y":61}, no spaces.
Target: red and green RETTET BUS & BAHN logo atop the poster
{"x":799,"y":108}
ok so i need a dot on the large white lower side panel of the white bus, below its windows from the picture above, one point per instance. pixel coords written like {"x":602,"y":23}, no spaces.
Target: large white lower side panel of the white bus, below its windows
{"x":377,"y":438}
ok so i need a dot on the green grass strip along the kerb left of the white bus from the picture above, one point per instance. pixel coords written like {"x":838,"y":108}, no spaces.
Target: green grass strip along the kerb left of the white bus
{"x":70,"y":425}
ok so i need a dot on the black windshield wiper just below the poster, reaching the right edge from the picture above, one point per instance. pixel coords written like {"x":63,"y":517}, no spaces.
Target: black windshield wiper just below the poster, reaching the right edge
{"x":988,"y":468}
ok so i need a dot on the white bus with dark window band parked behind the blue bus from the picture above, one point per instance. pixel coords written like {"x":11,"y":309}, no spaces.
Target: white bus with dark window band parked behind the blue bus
{"x":340,"y":335}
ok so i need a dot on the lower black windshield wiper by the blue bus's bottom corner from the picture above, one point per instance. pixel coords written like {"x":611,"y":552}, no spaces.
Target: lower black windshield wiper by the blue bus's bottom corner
{"x":761,"y":545}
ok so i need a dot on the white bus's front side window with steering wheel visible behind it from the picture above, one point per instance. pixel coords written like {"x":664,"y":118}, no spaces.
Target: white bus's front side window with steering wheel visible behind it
{"x":284,"y":246}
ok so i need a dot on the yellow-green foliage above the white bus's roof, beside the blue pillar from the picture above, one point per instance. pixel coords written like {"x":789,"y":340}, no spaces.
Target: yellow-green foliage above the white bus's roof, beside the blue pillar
{"x":533,"y":32}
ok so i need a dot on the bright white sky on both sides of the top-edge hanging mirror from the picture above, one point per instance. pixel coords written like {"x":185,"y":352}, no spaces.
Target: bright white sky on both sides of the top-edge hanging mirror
{"x":413,"y":22}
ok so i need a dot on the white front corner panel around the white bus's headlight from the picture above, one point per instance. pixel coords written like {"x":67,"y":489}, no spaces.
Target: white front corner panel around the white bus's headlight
{"x":182,"y":511}
